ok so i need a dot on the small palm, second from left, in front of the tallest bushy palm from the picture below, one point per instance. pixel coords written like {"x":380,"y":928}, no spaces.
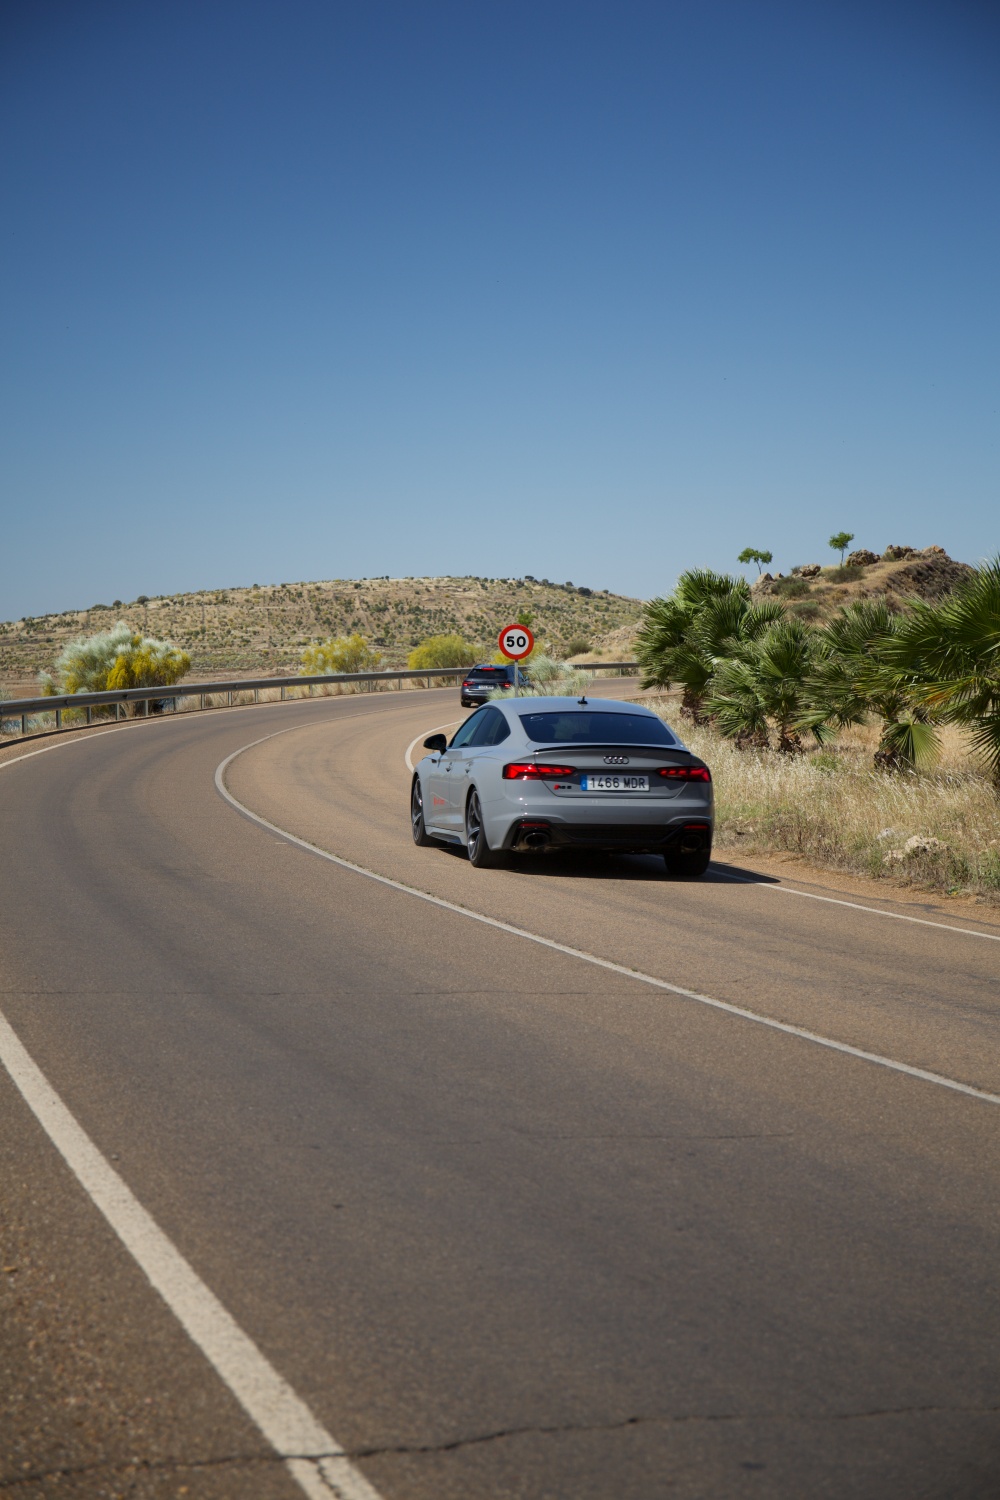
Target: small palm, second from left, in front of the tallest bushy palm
{"x":768,"y":682}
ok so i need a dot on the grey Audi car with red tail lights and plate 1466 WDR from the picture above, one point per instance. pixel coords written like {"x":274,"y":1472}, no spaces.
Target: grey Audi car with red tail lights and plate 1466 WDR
{"x":527,"y":775}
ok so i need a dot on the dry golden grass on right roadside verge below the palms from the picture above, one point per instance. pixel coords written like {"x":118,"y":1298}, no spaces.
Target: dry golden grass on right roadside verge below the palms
{"x":836,"y":809}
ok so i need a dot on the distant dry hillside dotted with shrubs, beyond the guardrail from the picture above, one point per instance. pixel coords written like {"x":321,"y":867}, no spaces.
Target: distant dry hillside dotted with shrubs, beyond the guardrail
{"x":265,"y":629}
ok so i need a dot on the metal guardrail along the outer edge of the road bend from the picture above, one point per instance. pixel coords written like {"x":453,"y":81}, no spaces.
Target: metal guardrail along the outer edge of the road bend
{"x":58,"y":704}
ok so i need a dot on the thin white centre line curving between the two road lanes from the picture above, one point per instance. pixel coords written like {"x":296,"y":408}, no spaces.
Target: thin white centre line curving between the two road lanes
{"x":590,"y":958}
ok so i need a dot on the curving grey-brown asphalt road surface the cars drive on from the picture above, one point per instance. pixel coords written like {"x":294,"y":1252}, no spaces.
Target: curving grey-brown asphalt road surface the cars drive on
{"x":509,"y":1223}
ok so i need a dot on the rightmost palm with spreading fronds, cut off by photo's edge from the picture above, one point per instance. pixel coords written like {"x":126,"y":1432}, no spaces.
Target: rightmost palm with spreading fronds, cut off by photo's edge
{"x":954,"y":652}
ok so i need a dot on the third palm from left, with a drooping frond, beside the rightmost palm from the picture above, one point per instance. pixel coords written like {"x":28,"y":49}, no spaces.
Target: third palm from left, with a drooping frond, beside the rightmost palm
{"x":857,"y":677}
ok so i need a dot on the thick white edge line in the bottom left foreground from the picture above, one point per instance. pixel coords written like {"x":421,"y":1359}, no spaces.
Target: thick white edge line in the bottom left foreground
{"x":313,"y":1456}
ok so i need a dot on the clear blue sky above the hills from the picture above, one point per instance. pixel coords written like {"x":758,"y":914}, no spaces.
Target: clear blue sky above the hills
{"x":591,"y":292}
